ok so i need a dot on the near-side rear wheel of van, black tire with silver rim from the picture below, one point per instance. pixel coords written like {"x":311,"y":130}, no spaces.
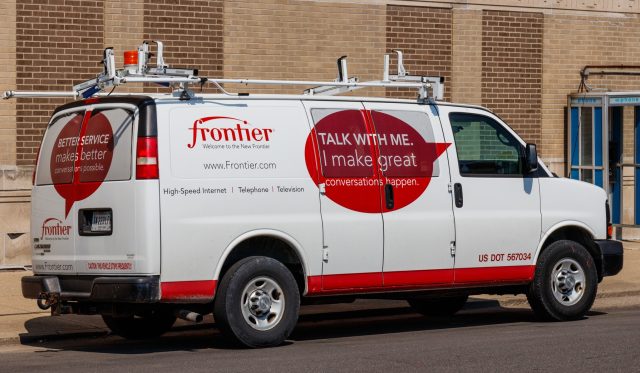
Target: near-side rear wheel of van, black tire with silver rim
{"x":246,"y":318}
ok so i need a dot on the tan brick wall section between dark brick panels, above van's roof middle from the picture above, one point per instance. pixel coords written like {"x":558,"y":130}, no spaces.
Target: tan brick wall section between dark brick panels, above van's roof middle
{"x":287,"y":39}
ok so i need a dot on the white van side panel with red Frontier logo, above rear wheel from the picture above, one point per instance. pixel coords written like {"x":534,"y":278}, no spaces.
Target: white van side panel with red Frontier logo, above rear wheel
{"x":228,"y":168}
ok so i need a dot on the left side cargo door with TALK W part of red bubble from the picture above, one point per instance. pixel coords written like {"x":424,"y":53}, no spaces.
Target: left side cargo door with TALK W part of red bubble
{"x":350,"y":195}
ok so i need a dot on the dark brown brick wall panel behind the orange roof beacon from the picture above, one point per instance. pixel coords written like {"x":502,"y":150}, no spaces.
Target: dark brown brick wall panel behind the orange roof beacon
{"x":191,"y":31}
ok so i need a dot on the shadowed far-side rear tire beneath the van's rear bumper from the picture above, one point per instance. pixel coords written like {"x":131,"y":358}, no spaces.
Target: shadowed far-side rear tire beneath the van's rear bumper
{"x":149,"y":324}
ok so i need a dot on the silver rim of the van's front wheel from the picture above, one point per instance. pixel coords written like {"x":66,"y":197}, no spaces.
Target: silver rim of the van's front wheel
{"x":568,"y":281}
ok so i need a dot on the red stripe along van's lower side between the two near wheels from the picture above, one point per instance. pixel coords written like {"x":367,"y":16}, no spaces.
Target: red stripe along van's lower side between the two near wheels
{"x":417,"y":280}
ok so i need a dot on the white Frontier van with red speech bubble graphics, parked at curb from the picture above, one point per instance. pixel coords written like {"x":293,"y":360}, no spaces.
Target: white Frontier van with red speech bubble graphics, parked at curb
{"x":148,"y":208}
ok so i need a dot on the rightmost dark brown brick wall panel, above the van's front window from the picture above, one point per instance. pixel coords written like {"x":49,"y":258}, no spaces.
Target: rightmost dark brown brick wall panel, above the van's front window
{"x":512,"y":69}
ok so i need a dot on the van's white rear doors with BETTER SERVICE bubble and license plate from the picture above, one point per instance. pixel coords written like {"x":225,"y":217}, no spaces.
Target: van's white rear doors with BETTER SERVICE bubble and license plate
{"x":85,"y":179}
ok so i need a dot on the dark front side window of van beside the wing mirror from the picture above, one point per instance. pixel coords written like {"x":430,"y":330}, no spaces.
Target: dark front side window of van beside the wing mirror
{"x":485,"y":147}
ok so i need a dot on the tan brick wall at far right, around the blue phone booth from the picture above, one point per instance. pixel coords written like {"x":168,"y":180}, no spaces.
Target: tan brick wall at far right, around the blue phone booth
{"x":570,"y":43}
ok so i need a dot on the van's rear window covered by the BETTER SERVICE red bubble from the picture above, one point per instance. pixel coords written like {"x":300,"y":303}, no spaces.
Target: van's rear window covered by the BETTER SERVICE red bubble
{"x":87,"y":147}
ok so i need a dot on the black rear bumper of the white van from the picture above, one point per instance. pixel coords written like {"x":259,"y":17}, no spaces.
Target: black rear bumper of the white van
{"x":135,"y":289}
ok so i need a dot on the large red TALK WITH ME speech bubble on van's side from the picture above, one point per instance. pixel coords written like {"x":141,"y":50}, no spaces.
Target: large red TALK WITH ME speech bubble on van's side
{"x":355,"y":163}
